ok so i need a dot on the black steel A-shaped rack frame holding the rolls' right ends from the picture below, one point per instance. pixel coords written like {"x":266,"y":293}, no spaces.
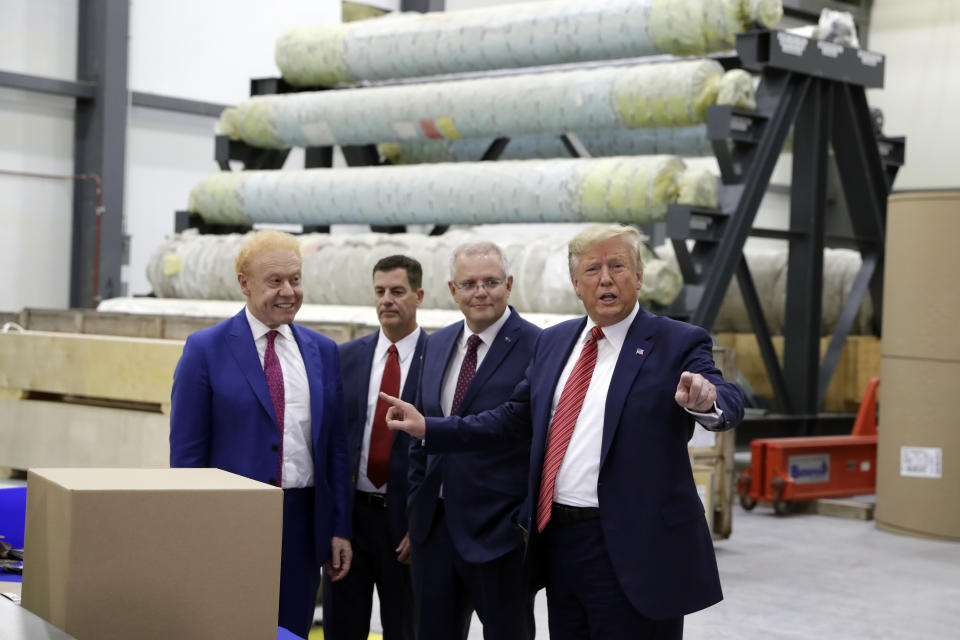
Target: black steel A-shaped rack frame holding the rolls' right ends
{"x":819,"y":90}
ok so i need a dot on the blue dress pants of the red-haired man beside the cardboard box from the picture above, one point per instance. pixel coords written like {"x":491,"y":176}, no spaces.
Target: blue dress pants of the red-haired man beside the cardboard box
{"x":299,"y":570}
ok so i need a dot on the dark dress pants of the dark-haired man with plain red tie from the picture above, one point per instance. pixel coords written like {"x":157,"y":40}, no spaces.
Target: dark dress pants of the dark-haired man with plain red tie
{"x":348,"y":602}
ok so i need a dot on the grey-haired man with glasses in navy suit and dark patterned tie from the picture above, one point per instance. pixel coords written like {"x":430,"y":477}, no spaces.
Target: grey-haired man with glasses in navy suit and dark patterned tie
{"x":463,"y":507}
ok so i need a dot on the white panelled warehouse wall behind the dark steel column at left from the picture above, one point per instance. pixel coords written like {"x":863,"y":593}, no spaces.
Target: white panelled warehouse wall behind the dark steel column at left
{"x":201,"y":51}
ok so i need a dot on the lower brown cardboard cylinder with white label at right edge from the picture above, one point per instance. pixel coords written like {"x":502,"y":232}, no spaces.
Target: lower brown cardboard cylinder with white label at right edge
{"x":917,"y":408}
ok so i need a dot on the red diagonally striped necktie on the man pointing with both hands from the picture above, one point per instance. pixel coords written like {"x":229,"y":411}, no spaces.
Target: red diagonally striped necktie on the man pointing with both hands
{"x":564,"y":419}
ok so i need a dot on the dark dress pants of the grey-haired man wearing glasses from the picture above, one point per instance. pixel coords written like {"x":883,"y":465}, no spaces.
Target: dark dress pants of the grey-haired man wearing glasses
{"x":447,"y":589}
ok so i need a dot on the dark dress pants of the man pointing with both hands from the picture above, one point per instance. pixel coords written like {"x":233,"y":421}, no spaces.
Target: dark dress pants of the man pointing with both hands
{"x":584,"y":597}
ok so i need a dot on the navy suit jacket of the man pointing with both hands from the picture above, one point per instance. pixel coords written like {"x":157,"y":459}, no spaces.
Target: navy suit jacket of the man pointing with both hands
{"x":652,"y":518}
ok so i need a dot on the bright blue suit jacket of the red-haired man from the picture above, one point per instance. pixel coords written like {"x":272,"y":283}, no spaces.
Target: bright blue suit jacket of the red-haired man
{"x":221,"y":416}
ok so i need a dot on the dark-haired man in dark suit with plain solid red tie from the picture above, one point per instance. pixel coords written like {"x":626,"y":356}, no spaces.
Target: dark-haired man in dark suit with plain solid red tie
{"x":386,"y":359}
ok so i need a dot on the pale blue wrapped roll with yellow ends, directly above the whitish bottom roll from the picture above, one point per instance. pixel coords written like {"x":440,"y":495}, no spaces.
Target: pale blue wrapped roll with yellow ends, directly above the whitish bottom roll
{"x":620,"y":189}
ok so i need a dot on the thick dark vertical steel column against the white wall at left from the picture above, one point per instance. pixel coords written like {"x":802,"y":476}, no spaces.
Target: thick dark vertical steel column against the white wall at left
{"x":99,"y":243}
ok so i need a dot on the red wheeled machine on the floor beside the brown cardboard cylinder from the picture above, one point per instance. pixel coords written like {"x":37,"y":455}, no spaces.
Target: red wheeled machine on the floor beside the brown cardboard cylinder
{"x":787,"y":470}
